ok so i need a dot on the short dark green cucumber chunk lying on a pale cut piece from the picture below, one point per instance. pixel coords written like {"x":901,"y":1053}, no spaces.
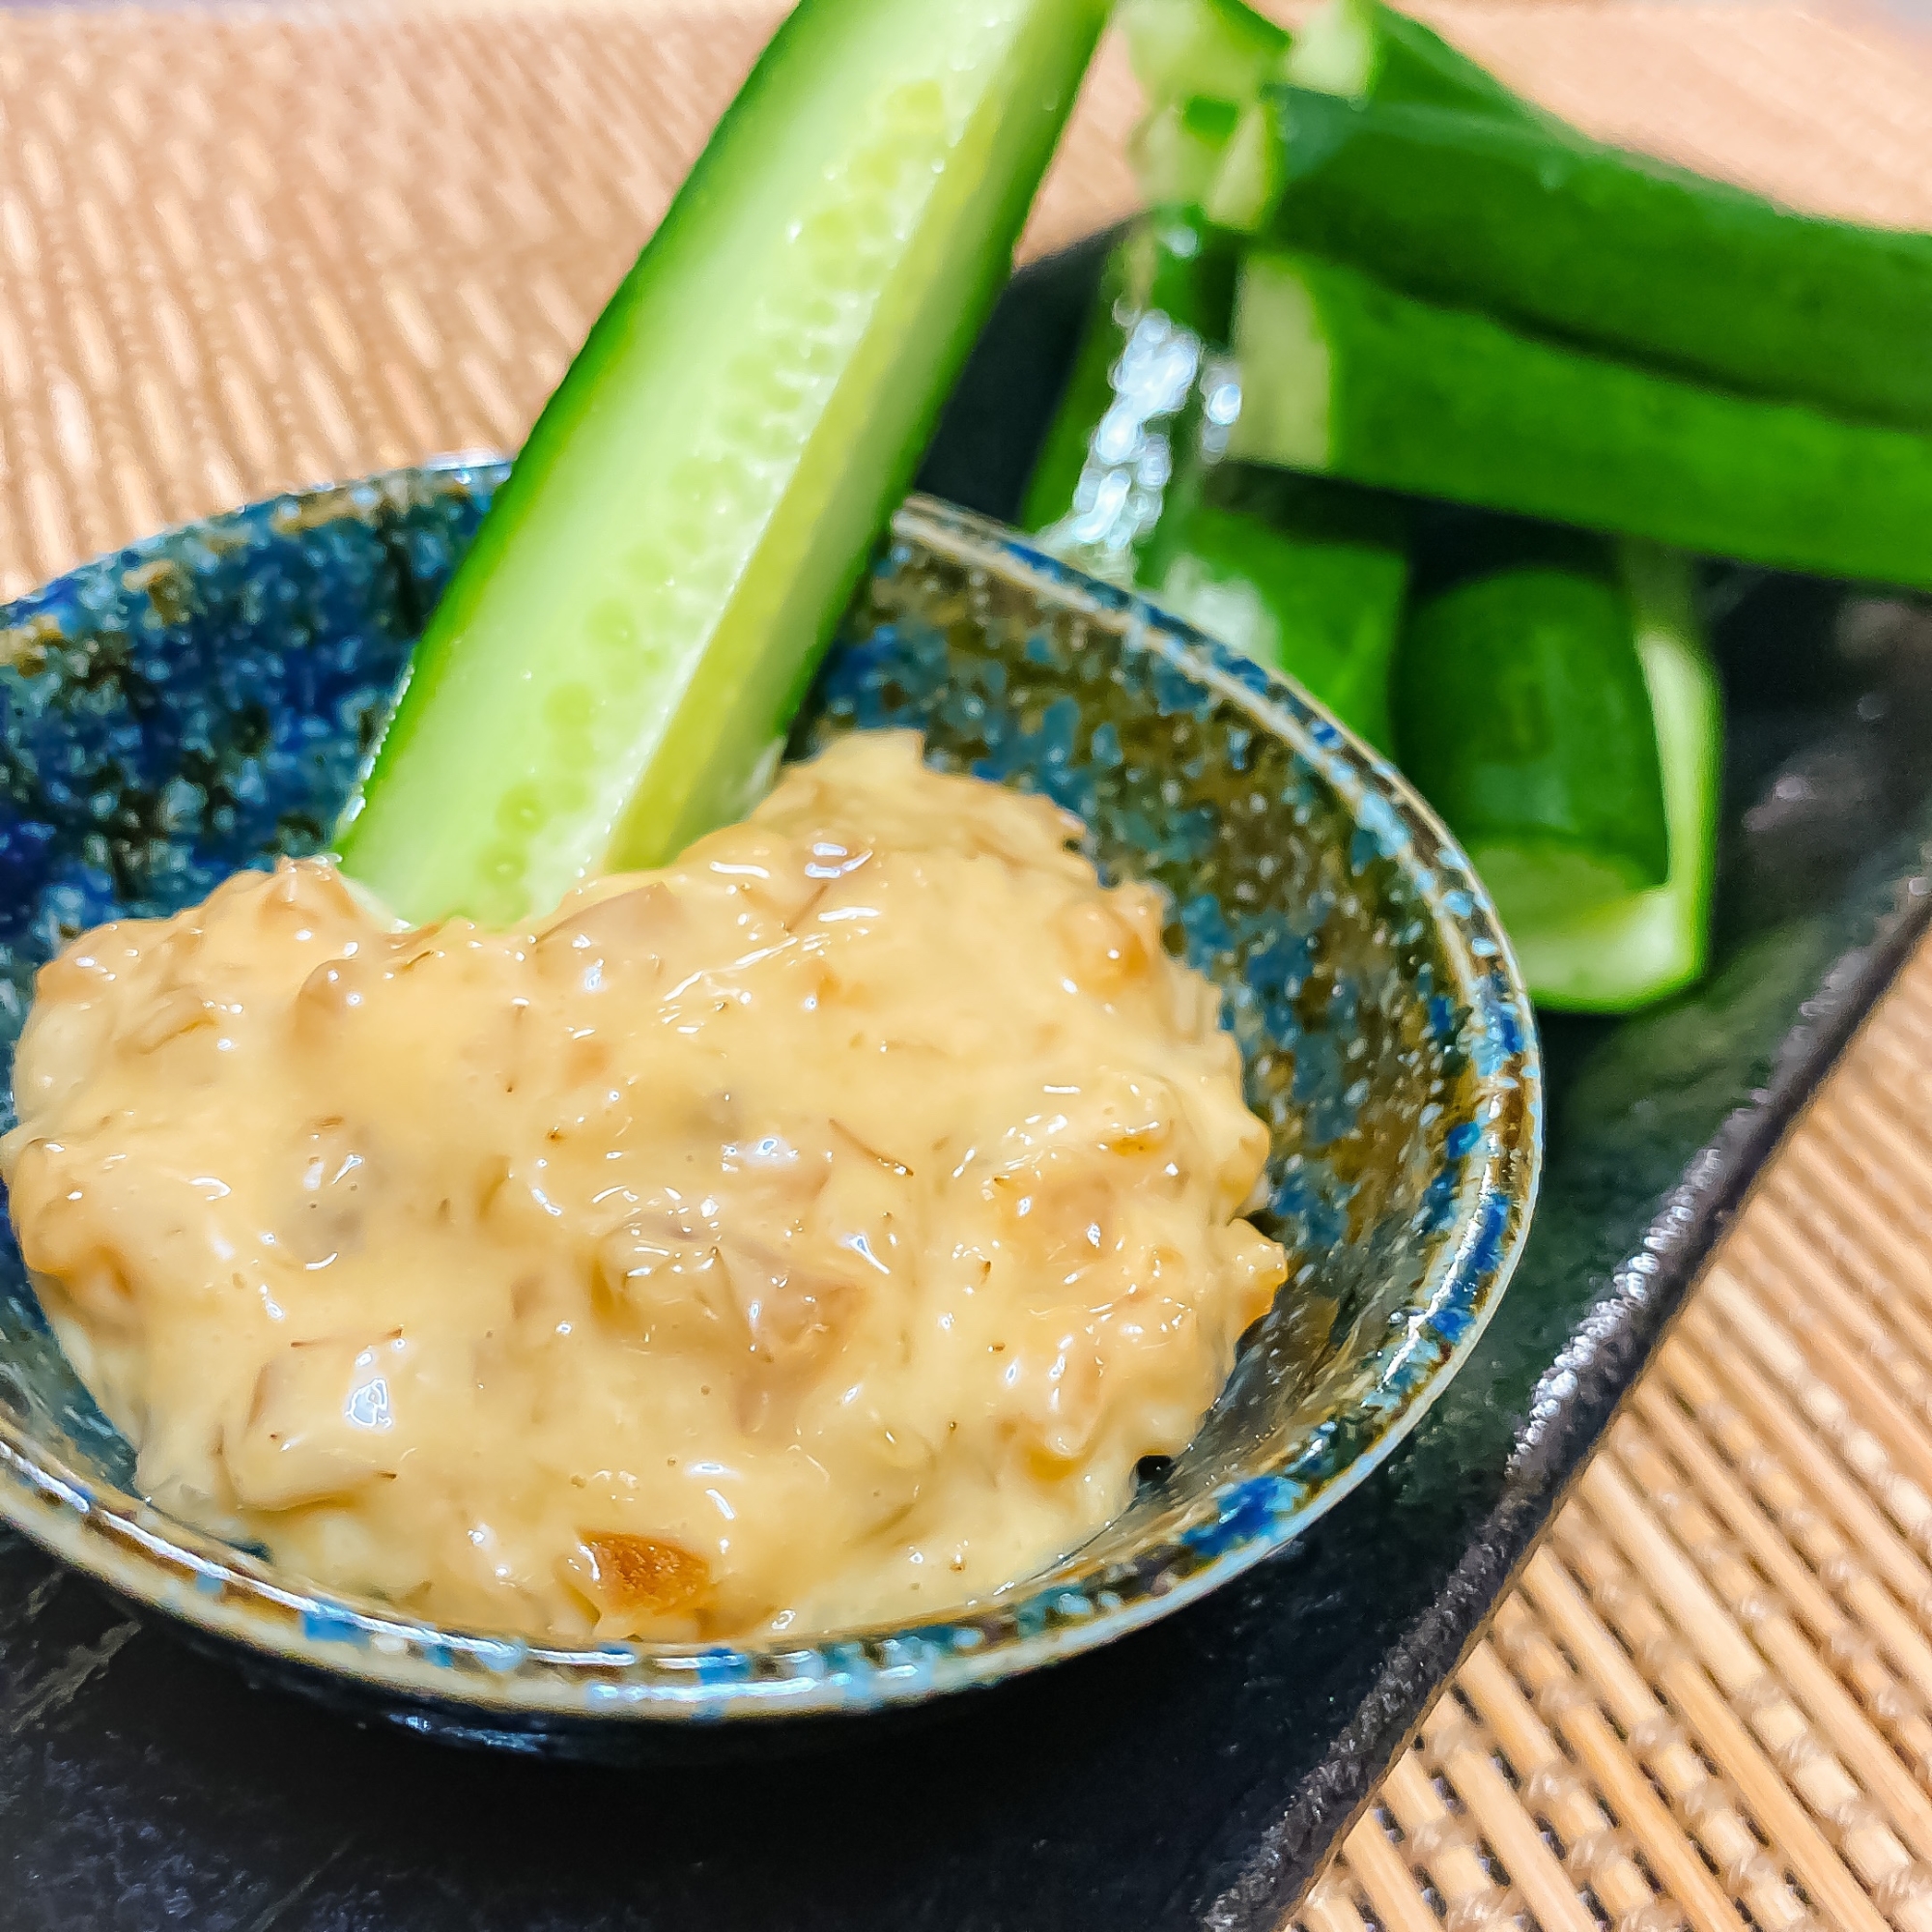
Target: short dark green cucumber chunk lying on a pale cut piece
{"x":1523,"y":718}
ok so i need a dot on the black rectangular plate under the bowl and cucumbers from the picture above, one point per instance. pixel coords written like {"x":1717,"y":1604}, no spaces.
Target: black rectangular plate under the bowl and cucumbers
{"x":1197,"y":1775}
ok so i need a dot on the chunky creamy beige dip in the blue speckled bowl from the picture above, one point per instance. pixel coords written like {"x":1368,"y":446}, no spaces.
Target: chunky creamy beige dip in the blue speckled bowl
{"x":814,"y":1232}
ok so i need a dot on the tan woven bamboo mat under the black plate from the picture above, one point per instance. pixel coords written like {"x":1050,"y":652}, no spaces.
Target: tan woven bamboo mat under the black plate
{"x":246,"y":248}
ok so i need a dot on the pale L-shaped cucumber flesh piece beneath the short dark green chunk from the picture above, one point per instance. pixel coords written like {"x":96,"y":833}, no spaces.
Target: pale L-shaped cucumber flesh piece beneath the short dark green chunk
{"x":1634,"y":952}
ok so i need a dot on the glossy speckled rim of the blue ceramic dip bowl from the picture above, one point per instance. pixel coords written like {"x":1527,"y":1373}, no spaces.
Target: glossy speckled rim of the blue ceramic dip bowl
{"x":225,"y":1595}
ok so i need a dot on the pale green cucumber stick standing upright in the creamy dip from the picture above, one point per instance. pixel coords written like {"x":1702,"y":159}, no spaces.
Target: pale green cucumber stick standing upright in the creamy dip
{"x":619,"y":658}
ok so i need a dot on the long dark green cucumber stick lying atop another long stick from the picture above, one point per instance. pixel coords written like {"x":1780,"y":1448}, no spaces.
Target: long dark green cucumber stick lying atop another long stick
{"x":1612,"y":250}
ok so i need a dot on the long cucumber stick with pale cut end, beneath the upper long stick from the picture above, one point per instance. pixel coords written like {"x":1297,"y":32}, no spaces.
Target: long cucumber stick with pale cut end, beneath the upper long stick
{"x":1348,"y":378}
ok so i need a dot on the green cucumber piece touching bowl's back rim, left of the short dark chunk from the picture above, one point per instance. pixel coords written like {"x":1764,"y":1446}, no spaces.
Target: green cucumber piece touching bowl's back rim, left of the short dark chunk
{"x":1322,"y":569}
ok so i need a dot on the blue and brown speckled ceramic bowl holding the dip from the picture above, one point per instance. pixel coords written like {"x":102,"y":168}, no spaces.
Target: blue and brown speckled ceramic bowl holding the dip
{"x":200,"y":704}
